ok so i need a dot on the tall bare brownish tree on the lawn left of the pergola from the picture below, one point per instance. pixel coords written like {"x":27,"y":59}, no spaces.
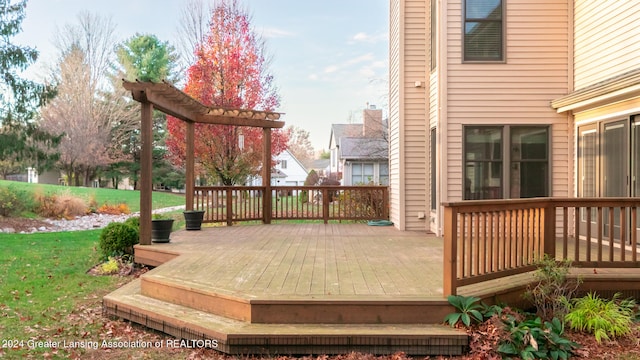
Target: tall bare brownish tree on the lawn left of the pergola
{"x":93,"y":112}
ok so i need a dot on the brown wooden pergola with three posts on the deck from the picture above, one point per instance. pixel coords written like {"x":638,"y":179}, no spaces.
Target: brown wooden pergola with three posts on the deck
{"x":171,"y":101}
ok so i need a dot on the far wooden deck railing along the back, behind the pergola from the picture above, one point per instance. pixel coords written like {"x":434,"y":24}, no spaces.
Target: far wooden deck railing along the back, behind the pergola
{"x":231,"y":204}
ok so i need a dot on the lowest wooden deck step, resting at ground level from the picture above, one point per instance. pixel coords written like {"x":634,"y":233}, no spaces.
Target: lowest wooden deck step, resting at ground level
{"x":241,"y":337}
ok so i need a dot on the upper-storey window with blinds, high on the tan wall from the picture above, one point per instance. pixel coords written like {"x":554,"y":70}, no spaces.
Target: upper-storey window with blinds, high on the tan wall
{"x":483,"y":30}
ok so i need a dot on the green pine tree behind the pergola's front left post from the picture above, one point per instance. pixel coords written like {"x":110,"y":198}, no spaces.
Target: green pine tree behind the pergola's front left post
{"x":145,"y":58}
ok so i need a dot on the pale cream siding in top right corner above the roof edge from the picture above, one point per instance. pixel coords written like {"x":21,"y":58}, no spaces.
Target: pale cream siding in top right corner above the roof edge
{"x":606,"y":39}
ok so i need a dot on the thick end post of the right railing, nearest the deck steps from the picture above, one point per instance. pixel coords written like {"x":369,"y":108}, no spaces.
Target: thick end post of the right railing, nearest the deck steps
{"x":450,"y":270}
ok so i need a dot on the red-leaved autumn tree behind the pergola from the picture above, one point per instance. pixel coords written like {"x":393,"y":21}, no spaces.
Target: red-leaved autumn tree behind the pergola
{"x":229,"y":71}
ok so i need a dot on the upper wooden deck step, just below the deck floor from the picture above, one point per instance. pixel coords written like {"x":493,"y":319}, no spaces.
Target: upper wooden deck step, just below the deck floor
{"x":160,"y":284}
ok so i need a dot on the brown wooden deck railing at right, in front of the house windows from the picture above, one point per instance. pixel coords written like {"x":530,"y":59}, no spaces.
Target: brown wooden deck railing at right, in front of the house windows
{"x":488,"y":239}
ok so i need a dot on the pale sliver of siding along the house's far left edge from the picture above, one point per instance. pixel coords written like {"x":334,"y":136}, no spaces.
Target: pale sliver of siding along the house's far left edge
{"x":395,"y":101}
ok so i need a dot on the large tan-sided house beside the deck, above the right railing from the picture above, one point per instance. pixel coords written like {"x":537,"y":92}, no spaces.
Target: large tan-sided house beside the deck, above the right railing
{"x":511,"y":99}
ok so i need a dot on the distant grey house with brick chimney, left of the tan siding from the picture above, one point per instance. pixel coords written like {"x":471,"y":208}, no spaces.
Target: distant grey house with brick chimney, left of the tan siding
{"x":359,"y":152}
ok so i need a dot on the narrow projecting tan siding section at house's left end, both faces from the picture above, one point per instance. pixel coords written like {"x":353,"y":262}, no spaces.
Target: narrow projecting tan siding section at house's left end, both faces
{"x":408,"y":62}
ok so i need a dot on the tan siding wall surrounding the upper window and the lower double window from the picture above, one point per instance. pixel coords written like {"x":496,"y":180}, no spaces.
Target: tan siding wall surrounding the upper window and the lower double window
{"x":518,"y":91}
